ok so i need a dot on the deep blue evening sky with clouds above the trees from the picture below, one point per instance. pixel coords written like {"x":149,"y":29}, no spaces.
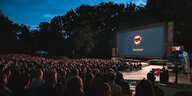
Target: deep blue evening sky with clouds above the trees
{"x":32,"y":12}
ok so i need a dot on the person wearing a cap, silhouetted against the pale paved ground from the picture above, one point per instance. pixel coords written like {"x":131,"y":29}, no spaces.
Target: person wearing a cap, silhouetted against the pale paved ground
{"x":151,"y":77}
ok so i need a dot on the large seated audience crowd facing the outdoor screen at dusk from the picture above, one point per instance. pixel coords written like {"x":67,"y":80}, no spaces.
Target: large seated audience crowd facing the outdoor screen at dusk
{"x":25,"y":75}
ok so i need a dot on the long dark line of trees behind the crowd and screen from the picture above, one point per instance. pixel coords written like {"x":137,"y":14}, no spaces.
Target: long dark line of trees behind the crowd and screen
{"x":90,"y":31}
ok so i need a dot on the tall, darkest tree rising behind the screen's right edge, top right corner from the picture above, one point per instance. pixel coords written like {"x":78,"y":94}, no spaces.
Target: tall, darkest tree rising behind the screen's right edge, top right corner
{"x":180,"y":12}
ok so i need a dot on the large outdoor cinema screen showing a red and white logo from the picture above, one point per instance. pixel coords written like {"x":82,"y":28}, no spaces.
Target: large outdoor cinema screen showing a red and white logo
{"x":144,"y":42}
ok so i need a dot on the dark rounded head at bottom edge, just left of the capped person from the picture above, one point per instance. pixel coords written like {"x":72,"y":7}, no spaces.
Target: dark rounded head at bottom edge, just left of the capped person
{"x":144,"y":88}
